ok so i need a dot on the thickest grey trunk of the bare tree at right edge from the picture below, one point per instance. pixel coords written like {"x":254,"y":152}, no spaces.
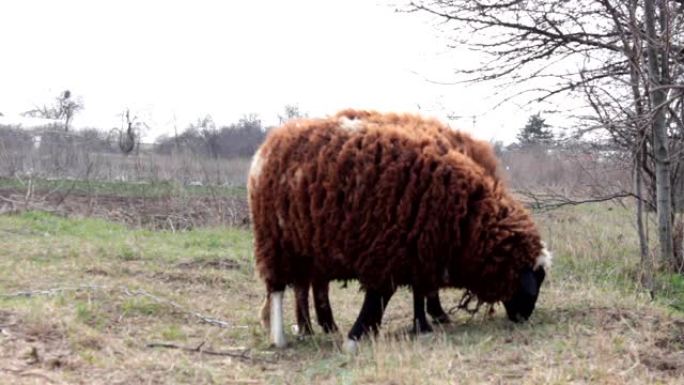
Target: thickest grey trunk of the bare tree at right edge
{"x":660,"y":140}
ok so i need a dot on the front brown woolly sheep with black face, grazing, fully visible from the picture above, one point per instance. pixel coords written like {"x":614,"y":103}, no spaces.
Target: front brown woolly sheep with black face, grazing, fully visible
{"x":336,"y":199}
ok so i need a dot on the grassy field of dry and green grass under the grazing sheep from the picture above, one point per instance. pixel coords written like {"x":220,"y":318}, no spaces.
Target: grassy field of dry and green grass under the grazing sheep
{"x":87,"y":301}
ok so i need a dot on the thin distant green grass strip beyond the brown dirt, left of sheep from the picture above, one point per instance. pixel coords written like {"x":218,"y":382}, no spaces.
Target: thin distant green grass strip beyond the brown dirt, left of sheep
{"x":122,"y":189}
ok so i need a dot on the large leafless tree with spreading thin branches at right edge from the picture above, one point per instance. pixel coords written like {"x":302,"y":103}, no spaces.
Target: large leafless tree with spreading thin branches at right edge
{"x":625,"y":59}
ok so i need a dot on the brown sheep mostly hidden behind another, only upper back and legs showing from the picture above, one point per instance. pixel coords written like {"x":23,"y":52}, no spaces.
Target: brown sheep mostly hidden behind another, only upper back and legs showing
{"x":444,"y":137}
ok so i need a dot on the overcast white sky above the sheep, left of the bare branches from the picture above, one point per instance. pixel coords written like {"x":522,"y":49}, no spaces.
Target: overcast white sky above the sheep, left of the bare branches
{"x":180,"y":60}
